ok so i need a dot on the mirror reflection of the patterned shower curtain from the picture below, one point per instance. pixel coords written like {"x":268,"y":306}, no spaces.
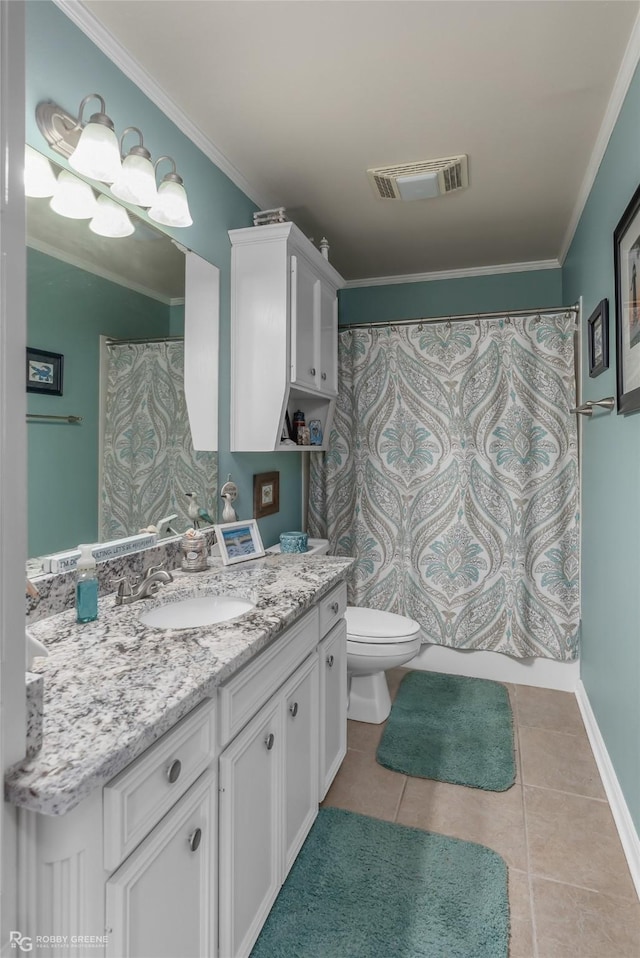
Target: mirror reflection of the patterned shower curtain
{"x":148,"y":460}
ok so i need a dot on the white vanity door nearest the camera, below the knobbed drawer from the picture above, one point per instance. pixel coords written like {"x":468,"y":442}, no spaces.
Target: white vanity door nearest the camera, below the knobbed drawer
{"x":161,"y":902}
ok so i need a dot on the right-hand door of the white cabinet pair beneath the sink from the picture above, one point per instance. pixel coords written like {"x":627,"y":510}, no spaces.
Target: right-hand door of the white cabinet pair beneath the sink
{"x":300,"y":725}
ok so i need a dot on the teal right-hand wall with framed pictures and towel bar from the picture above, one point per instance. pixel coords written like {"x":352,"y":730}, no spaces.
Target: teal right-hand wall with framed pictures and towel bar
{"x":611,"y":474}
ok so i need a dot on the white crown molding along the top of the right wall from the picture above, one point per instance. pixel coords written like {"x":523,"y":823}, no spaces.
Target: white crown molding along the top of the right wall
{"x":620,"y":88}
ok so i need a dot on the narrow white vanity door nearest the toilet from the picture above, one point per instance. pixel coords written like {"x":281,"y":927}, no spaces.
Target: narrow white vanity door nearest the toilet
{"x":333,"y":704}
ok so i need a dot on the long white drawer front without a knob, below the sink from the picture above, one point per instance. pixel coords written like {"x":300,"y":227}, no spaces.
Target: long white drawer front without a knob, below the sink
{"x":246,"y":692}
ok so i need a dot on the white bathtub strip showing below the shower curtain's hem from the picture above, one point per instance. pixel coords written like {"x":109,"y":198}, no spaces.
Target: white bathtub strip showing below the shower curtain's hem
{"x":480,"y":664}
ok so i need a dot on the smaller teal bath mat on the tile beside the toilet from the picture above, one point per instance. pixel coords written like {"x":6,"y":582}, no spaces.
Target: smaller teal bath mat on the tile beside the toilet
{"x":452,"y":729}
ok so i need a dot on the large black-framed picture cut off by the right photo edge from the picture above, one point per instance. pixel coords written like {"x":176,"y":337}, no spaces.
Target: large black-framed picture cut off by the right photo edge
{"x":626,"y":261}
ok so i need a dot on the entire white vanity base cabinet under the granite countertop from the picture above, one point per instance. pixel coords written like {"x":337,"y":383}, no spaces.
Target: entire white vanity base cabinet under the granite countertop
{"x":177,"y":856}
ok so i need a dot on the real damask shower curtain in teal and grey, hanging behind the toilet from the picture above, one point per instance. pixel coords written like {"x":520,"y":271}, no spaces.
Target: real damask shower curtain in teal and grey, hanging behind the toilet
{"x":452,"y":477}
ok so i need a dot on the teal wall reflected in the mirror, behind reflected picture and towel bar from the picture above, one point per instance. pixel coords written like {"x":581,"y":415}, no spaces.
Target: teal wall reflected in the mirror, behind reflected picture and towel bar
{"x":68,"y":310}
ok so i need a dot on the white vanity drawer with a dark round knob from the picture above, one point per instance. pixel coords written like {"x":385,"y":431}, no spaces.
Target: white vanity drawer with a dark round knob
{"x":136,"y":799}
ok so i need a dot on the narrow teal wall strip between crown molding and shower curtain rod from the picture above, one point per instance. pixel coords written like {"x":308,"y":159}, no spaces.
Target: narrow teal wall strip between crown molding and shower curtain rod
{"x":443,"y":297}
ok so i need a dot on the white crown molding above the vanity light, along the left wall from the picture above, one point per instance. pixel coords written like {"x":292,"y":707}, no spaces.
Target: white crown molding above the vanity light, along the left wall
{"x":123,"y":59}
